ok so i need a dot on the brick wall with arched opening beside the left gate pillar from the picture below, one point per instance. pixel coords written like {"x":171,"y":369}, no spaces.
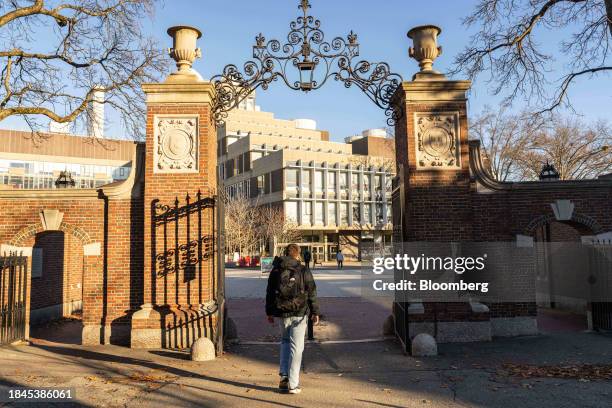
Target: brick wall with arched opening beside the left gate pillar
{"x":110,"y":285}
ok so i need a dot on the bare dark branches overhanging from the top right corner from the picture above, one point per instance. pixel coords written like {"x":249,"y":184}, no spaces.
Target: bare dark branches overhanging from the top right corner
{"x":510,"y":46}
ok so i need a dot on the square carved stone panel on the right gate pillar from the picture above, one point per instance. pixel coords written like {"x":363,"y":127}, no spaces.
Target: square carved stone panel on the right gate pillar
{"x":437,"y":140}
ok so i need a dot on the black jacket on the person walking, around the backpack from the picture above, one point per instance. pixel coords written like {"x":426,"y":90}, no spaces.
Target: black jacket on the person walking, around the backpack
{"x":312,"y":304}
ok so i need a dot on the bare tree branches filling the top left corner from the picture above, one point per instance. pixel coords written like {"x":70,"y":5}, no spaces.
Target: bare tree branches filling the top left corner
{"x":55,"y":55}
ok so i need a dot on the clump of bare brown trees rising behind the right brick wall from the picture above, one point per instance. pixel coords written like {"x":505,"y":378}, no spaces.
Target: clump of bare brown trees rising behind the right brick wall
{"x":516,"y":146}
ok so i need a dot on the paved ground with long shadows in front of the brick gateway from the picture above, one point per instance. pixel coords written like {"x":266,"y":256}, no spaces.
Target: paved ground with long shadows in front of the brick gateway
{"x":373,"y":374}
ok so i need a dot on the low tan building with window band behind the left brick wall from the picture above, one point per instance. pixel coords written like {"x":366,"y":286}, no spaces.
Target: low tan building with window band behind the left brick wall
{"x":91,"y":162}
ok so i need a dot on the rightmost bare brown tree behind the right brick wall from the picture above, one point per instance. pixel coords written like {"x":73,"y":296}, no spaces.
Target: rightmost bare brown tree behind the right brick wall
{"x":577,"y":150}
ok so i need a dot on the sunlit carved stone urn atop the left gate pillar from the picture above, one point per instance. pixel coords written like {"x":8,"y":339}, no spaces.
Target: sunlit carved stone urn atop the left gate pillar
{"x":184,"y":49}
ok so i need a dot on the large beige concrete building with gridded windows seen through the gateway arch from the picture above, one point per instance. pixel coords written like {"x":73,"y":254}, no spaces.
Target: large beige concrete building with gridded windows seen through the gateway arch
{"x":338,"y":194}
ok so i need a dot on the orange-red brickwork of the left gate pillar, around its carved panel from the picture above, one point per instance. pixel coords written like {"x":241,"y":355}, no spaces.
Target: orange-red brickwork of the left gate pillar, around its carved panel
{"x":179,"y":261}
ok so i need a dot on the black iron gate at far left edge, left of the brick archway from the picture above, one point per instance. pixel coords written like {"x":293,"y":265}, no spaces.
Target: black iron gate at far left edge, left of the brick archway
{"x":13,"y":284}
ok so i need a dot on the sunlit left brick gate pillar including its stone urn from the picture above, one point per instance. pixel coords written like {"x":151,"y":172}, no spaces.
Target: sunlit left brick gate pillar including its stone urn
{"x":180,"y":168}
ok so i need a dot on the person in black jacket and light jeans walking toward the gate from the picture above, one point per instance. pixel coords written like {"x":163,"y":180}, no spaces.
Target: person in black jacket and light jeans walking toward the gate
{"x":291,"y":296}
